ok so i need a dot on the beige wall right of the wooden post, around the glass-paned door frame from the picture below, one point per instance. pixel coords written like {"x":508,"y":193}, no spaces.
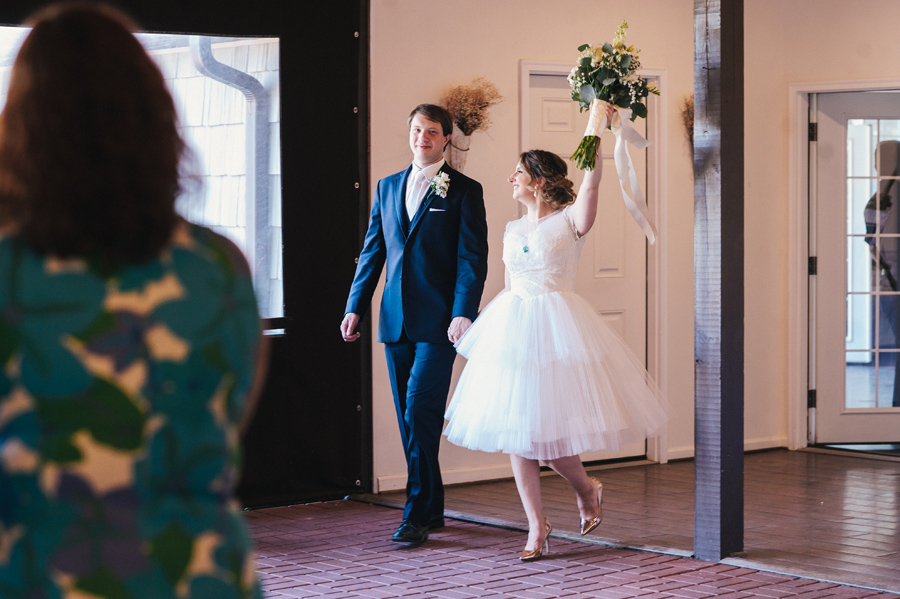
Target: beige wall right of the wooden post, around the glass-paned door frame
{"x":791,"y":42}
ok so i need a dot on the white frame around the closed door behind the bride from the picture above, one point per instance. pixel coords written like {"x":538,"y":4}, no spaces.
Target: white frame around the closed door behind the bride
{"x":657,"y":201}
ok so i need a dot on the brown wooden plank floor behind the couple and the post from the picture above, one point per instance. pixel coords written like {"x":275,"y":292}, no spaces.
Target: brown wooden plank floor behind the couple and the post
{"x":830,"y":517}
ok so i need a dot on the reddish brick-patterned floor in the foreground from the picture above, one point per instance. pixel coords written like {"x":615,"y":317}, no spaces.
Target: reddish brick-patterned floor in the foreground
{"x":343,"y":549}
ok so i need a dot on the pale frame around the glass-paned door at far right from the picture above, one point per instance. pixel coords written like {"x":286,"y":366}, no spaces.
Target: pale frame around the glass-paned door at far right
{"x":798,"y":243}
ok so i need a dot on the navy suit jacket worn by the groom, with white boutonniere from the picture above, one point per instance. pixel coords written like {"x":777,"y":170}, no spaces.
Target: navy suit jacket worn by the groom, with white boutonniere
{"x":436,"y":264}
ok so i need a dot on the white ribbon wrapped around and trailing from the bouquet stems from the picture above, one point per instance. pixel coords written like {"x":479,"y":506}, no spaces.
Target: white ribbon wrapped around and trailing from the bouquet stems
{"x":625,"y":134}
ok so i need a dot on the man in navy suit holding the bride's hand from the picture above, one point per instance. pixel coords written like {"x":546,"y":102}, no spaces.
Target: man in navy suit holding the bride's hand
{"x":428,"y":227}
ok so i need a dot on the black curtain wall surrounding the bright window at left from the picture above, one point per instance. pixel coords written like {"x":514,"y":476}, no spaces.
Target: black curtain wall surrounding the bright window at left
{"x":311,"y":438}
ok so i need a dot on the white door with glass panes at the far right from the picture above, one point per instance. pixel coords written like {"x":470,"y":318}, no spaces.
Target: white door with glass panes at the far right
{"x":856,"y":286}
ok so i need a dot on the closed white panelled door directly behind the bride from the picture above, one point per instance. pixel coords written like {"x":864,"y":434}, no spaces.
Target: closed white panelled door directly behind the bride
{"x":613,"y":267}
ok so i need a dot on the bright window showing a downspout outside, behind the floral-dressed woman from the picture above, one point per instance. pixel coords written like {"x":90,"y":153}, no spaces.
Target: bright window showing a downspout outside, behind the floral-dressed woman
{"x":226,"y":91}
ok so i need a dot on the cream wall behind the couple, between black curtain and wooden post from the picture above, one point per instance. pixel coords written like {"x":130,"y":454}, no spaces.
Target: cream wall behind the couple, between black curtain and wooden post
{"x":421,"y":49}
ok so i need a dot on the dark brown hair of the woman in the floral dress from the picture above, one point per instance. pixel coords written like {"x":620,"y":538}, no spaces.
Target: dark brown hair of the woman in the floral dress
{"x":89,"y":150}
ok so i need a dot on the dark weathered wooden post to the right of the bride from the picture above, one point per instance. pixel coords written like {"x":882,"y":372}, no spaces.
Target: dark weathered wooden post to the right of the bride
{"x":719,"y":277}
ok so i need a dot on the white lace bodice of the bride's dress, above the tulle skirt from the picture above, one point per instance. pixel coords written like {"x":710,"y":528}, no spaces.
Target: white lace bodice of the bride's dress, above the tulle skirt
{"x":542,"y":256}
